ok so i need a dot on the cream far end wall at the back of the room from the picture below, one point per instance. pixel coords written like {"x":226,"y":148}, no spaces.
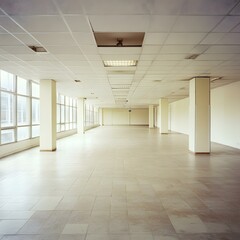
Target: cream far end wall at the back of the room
{"x":122,"y":116}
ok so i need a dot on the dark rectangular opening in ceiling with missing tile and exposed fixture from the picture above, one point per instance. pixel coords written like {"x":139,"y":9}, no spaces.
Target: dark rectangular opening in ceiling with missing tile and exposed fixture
{"x":119,"y":39}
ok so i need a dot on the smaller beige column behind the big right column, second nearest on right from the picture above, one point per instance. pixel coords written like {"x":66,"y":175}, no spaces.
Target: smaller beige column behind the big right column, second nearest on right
{"x":163,"y":115}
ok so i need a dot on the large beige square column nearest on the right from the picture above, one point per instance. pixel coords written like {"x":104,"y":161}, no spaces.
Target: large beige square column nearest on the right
{"x":199,"y":115}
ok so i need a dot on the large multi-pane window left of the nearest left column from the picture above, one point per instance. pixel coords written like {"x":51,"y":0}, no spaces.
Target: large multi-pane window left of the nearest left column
{"x":19,"y":106}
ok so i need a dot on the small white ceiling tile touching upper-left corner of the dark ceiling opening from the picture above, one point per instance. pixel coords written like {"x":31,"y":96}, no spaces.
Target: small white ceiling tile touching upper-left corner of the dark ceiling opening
{"x":78,"y":23}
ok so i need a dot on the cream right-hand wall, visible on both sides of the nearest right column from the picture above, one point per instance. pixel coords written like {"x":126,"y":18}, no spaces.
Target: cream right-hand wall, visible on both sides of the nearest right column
{"x":225,"y":115}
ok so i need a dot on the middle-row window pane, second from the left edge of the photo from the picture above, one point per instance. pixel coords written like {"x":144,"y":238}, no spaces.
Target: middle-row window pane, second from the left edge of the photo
{"x":22,"y":110}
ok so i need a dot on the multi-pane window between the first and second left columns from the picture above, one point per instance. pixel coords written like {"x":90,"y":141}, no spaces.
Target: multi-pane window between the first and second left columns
{"x":66,"y":113}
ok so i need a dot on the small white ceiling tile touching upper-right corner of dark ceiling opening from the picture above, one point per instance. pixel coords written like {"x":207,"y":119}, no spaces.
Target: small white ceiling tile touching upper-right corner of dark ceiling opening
{"x":161,"y":23}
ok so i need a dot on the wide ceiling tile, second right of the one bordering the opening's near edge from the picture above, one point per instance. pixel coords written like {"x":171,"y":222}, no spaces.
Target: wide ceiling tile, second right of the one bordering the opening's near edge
{"x":196,"y":23}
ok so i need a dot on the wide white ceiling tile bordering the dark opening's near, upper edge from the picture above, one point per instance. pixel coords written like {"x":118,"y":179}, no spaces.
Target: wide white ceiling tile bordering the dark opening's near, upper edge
{"x":121,"y":23}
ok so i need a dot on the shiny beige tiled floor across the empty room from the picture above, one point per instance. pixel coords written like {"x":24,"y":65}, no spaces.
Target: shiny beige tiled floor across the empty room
{"x":126,"y":183}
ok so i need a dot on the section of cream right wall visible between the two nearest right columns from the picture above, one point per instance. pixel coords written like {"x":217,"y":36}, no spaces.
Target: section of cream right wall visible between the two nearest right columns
{"x":179,"y":117}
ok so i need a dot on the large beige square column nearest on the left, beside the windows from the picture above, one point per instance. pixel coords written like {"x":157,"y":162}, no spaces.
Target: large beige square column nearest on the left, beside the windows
{"x":48,"y":122}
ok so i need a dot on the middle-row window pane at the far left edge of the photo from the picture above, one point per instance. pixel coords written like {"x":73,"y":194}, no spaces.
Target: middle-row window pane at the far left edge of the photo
{"x":7,"y":109}
